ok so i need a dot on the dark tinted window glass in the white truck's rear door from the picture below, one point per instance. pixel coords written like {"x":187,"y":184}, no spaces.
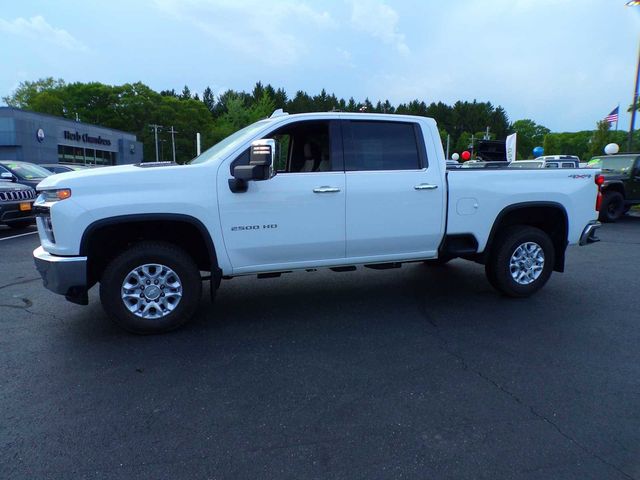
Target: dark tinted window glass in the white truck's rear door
{"x":371,"y":145}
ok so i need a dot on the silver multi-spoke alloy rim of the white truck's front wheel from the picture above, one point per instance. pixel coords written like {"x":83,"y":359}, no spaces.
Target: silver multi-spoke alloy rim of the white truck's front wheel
{"x":151,"y":291}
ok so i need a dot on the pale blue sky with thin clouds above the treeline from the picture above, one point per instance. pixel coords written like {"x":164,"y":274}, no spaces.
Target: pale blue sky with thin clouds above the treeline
{"x":564,"y":64}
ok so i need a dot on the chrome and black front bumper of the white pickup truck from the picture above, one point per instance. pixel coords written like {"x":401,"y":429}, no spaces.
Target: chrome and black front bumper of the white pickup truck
{"x":63,"y":275}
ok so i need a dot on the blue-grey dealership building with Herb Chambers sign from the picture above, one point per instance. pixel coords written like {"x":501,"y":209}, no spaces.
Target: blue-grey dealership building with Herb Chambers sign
{"x":40,"y":138}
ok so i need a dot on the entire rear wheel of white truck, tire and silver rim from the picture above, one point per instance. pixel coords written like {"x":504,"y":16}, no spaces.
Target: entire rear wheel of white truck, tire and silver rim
{"x":521,"y":261}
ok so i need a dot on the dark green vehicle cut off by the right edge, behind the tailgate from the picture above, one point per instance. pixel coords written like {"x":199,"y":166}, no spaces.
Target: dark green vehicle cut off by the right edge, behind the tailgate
{"x":621,"y":187}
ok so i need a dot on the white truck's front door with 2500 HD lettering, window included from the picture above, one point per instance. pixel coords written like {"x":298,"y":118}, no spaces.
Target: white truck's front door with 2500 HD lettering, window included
{"x":297,"y":218}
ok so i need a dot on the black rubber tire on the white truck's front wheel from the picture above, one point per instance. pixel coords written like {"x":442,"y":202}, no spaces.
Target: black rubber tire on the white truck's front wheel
{"x":148,"y":253}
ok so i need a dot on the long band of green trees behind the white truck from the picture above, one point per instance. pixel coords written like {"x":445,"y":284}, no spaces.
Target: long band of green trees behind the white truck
{"x":133,"y":107}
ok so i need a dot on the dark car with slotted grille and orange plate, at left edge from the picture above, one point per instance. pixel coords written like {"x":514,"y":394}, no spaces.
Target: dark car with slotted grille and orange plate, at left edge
{"x":16,"y":202}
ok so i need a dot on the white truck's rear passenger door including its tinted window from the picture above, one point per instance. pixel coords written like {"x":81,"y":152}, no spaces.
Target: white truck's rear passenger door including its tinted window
{"x":395,"y":198}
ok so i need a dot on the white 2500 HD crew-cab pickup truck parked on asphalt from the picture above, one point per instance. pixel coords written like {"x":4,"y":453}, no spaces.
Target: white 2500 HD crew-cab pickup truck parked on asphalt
{"x":296,"y":192}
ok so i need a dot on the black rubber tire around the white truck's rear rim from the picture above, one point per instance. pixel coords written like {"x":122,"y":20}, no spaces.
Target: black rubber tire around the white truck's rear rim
{"x":498,"y":264}
